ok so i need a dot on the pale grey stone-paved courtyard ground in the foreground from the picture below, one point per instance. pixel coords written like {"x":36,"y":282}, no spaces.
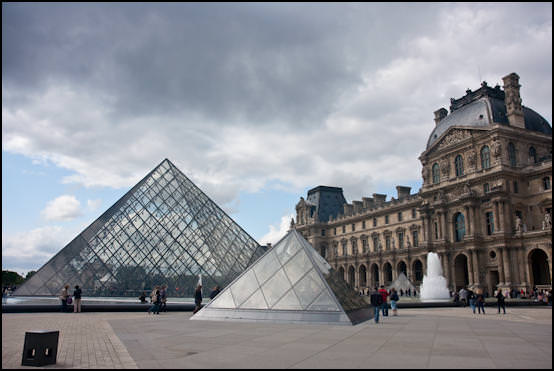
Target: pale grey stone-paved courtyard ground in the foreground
{"x":417,"y":338}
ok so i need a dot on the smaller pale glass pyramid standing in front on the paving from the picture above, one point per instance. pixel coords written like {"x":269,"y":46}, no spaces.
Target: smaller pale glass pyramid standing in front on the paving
{"x":290,"y":283}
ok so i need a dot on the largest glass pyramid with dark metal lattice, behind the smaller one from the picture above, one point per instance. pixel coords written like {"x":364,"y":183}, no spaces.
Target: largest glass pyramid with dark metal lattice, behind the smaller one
{"x":165,"y":230}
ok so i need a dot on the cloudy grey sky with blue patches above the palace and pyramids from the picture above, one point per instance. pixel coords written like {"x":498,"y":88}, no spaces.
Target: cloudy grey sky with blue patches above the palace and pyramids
{"x":256,"y":103}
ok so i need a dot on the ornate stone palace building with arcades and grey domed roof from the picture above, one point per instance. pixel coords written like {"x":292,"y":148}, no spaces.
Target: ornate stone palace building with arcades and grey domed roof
{"x":485,"y":205}
